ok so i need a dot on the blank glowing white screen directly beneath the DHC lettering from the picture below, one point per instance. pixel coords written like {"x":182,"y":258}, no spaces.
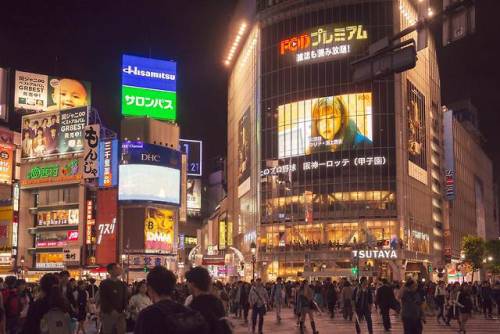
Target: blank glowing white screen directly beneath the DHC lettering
{"x":139,"y":182}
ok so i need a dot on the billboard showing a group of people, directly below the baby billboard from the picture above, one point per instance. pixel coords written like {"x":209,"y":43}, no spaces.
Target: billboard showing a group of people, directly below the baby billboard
{"x":53,"y":133}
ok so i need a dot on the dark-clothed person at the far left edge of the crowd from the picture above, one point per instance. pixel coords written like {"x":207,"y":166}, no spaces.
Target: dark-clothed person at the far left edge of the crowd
{"x":12,"y":305}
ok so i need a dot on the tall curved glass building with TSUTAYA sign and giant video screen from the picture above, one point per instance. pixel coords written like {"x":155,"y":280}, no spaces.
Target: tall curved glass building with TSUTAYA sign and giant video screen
{"x":321,"y":169}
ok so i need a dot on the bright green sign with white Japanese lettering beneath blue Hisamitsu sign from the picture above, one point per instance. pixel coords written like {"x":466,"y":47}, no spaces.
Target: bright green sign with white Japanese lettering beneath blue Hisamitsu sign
{"x":149,"y":102}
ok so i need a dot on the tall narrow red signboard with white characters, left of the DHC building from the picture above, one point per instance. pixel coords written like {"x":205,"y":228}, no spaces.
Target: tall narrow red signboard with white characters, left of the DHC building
{"x":106,"y":229}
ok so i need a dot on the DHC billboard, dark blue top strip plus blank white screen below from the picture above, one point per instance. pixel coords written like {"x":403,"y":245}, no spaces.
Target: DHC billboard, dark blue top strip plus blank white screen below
{"x":149,"y":173}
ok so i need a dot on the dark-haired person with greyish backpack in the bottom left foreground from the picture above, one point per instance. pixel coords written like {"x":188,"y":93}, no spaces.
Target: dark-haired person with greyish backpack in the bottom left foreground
{"x":48,"y":314}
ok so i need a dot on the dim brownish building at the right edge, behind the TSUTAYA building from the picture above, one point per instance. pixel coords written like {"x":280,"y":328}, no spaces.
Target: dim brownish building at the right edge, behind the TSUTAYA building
{"x":469,"y":187}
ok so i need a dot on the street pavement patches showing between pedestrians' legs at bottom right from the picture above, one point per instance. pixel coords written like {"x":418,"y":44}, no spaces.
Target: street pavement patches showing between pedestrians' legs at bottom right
{"x":476,"y":325}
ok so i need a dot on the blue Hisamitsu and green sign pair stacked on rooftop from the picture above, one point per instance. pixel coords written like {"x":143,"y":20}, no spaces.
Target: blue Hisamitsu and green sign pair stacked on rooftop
{"x":149,"y":88}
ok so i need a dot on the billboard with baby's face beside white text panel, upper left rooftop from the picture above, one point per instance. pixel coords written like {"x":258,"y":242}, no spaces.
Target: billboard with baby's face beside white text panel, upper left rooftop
{"x":38,"y":92}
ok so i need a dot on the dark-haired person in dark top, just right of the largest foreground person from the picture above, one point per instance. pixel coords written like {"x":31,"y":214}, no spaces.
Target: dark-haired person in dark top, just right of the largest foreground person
{"x":206,"y":303}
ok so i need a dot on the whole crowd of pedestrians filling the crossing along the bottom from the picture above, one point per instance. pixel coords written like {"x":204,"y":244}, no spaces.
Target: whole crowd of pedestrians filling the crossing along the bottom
{"x":60,"y":304}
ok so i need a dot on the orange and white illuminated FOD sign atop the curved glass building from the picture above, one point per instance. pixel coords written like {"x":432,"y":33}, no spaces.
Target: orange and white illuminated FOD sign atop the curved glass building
{"x":323,"y":43}
